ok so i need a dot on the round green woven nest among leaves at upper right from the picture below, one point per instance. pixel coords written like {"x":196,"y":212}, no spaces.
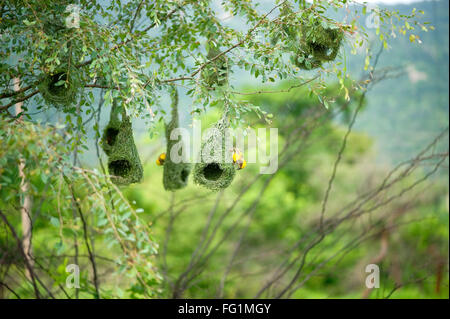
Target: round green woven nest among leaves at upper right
{"x":318,"y":44}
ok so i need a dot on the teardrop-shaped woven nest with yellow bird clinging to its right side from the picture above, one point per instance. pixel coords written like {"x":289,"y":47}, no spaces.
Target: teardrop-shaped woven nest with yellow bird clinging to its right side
{"x":215,"y":170}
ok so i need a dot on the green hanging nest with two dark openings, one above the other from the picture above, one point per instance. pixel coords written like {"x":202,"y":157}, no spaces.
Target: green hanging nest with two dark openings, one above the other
{"x":124,"y":165}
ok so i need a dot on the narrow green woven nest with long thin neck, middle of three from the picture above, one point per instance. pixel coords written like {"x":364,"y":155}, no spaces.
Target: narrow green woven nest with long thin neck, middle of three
{"x":175,"y":174}
